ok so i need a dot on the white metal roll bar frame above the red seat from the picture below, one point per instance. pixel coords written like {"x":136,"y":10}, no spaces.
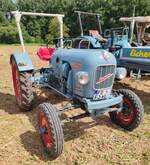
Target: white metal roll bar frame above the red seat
{"x":19,"y":14}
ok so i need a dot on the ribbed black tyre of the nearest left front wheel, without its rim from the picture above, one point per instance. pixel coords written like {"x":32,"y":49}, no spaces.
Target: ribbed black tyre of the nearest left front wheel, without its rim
{"x":56,"y":129}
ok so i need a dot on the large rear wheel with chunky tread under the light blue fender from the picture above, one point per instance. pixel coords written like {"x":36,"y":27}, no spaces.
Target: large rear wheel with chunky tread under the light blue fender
{"x":22,"y":87}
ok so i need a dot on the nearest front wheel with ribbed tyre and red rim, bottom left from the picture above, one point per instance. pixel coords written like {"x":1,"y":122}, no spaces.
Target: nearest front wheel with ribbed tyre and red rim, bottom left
{"x":50,"y":130}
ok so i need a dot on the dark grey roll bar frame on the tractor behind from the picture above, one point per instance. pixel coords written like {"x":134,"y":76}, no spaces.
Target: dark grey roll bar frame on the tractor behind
{"x":91,"y":14}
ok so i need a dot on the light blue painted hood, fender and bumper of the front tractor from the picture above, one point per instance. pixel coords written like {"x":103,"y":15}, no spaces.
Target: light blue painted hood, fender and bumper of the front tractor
{"x":66,"y":63}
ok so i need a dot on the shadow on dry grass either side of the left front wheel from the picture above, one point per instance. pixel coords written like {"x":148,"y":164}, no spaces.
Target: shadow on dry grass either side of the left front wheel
{"x":72,"y":130}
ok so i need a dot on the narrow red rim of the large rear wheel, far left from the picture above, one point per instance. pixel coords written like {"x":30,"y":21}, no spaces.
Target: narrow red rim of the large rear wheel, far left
{"x":16,"y":83}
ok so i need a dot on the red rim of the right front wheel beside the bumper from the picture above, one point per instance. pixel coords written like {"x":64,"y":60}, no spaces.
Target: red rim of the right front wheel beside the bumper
{"x":129,"y":116}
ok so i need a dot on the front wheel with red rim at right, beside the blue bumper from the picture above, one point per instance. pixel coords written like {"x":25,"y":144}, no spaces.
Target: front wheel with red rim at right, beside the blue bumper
{"x":132,"y":113}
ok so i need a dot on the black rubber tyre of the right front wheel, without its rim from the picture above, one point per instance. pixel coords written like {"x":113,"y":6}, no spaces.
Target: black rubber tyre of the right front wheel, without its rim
{"x":138,"y":110}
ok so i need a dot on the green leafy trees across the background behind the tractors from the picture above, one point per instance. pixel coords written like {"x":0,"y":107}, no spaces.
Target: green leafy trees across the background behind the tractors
{"x":37,"y":29}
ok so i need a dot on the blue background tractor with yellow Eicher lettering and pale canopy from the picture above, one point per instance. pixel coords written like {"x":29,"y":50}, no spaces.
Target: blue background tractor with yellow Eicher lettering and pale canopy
{"x":130,"y":46}
